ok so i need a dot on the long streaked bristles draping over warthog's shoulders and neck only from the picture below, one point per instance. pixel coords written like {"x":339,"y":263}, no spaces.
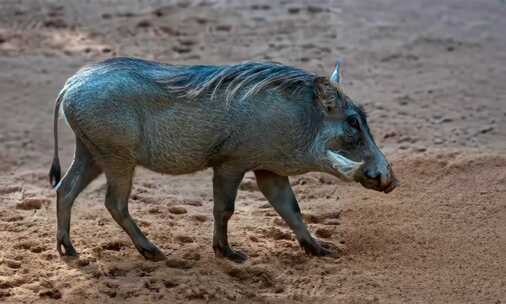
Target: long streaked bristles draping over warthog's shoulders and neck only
{"x":192,"y":81}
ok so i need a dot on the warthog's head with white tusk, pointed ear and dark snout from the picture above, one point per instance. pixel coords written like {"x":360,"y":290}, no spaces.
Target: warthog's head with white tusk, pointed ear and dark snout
{"x":344,"y":144}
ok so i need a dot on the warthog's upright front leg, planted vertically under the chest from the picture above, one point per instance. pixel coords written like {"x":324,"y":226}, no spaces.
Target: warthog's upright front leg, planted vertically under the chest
{"x":225,"y":185}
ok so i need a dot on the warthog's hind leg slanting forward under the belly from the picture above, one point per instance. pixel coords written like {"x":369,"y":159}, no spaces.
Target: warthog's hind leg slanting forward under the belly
{"x":119,"y":185}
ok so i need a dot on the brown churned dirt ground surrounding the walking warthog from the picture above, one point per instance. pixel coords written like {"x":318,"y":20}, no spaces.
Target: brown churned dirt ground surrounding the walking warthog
{"x":431,"y":75}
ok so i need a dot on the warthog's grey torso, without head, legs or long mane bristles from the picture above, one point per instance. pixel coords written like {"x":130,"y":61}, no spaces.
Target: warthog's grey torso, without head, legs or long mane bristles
{"x":121,"y":106}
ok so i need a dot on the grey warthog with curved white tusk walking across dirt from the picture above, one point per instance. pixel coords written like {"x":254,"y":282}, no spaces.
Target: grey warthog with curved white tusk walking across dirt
{"x":272,"y":119}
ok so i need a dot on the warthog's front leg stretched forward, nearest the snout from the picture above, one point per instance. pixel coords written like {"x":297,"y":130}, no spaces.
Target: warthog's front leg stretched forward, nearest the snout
{"x":279,"y":193}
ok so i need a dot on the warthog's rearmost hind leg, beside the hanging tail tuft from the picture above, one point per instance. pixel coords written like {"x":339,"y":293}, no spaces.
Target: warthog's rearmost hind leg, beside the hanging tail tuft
{"x":82,"y":171}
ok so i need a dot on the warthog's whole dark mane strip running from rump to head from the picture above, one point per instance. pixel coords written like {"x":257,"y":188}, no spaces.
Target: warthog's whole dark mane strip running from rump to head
{"x":237,"y":81}
